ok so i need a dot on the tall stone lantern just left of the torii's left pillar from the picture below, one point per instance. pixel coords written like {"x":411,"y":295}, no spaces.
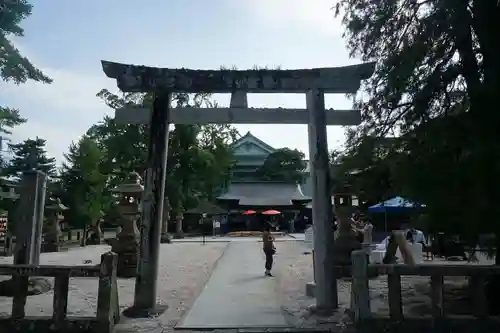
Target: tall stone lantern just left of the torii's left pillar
{"x":128,"y":240}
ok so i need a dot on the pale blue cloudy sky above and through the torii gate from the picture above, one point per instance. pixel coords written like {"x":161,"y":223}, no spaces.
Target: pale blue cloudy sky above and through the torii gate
{"x":68,"y":39}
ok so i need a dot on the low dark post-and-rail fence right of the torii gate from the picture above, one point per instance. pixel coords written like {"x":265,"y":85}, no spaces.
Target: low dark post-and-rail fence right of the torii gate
{"x":360,"y":297}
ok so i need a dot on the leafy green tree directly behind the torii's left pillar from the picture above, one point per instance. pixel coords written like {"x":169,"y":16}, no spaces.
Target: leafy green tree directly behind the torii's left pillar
{"x":199,"y":157}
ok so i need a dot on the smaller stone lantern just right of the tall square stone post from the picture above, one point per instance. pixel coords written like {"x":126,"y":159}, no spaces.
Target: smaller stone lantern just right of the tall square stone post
{"x":53,"y":233}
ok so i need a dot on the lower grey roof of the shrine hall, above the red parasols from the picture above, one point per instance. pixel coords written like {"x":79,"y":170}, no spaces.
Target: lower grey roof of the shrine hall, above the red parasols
{"x":265,"y":194}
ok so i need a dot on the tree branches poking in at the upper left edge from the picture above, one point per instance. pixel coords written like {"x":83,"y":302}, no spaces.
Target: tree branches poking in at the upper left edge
{"x":13,"y":66}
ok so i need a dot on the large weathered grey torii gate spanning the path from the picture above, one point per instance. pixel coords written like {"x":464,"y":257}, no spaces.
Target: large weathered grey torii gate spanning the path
{"x":164,"y":81}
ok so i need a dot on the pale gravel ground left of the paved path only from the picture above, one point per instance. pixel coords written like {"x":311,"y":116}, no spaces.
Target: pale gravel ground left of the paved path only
{"x":184,"y":270}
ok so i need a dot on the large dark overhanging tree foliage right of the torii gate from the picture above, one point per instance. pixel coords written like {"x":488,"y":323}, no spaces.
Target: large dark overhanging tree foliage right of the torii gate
{"x":435,"y":89}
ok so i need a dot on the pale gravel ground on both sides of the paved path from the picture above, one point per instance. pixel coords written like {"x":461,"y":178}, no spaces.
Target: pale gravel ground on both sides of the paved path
{"x":184,"y":270}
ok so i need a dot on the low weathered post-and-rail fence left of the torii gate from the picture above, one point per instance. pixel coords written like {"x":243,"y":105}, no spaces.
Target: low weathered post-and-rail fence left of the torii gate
{"x":107,"y":299}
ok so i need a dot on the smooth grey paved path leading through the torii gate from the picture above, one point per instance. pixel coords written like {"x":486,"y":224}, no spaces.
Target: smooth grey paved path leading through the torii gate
{"x":238,"y":295}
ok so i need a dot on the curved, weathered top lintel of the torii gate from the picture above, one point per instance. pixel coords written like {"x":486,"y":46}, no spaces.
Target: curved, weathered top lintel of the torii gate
{"x":137,"y":78}
